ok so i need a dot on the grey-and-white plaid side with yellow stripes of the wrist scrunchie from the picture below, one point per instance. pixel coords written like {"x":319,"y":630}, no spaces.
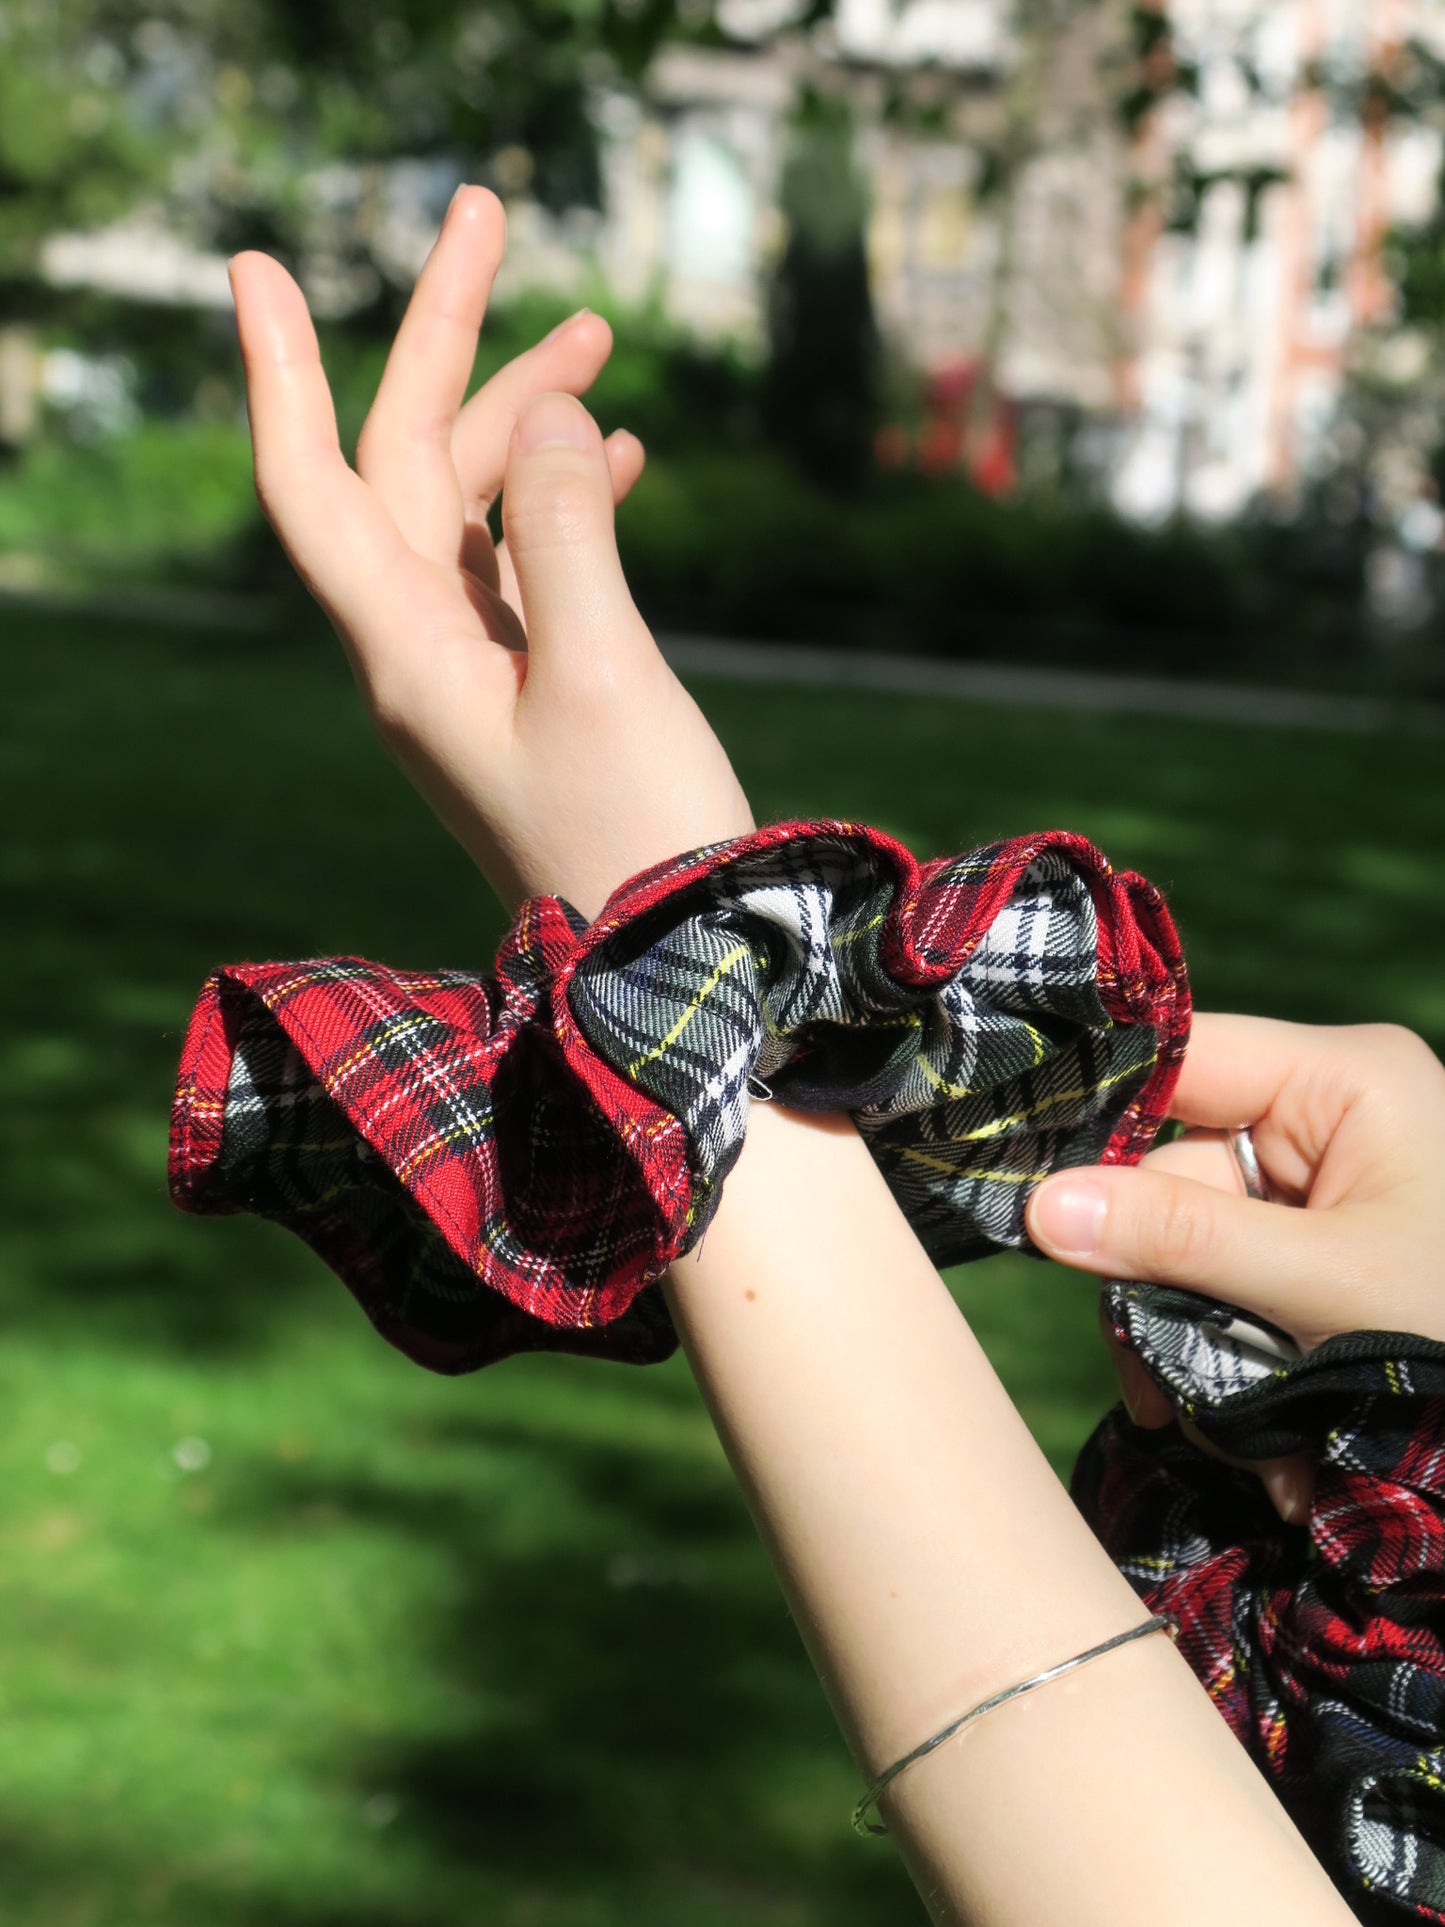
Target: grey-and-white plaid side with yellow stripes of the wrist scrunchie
{"x":966,"y":1094}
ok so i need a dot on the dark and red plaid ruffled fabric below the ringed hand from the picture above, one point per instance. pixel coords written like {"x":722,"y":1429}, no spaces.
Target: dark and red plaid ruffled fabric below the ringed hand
{"x":1323,"y":1645}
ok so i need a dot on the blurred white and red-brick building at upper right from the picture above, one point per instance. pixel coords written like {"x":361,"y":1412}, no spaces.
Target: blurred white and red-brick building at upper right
{"x":1244,"y":323}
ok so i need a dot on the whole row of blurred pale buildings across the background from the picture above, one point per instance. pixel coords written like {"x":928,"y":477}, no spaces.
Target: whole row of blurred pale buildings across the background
{"x":1170,"y":298}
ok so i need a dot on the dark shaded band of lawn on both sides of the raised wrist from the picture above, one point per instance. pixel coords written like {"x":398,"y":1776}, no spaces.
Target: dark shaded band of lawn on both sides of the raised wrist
{"x":221,"y":797}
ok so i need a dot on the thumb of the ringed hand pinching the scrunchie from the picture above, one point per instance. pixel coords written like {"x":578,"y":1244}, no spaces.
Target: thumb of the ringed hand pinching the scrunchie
{"x":1288,"y":1265}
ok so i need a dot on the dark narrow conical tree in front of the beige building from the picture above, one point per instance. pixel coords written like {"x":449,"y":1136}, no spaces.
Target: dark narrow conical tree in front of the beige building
{"x":822,"y":388}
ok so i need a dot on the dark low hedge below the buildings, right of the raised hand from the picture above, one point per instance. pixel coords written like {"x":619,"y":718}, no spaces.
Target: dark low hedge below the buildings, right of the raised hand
{"x":743,"y":544}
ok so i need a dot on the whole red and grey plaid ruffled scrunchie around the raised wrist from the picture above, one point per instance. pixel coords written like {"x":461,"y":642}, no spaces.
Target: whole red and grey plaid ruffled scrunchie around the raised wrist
{"x":506,"y":1165}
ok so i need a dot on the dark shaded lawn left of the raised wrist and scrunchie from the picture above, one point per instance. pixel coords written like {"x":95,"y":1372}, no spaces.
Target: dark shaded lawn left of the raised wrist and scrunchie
{"x":176,"y":805}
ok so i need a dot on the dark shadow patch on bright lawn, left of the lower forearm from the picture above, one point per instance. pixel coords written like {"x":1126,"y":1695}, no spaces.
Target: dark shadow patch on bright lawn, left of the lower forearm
{"x":635,"y":1714}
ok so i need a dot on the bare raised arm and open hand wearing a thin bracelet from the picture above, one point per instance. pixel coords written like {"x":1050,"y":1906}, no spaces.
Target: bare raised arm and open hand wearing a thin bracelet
{"x":928,"y":1548}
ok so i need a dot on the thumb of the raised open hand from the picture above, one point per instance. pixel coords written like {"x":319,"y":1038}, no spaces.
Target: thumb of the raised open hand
{"x":558,"y":515}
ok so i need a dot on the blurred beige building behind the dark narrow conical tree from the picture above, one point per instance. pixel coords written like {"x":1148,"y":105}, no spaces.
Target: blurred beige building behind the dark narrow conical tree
{"x":1024,"y":280}
